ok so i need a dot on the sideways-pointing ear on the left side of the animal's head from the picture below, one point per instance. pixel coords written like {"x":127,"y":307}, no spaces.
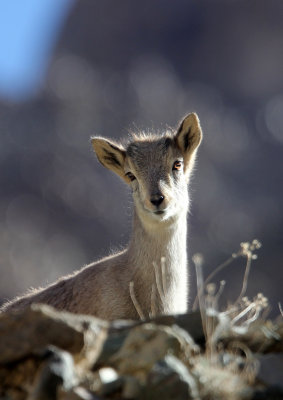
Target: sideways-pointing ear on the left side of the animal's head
{"x":111,"y":155}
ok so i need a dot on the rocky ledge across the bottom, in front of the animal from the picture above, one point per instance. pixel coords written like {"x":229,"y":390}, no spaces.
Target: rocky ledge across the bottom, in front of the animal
{"x":46,"y":354}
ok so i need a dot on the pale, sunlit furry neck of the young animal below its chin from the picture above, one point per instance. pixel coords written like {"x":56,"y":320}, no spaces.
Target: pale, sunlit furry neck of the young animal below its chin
{"x":158,"y":258}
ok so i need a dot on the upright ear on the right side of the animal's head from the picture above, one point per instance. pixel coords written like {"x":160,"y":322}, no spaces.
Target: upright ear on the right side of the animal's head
{"x":188,"y":137}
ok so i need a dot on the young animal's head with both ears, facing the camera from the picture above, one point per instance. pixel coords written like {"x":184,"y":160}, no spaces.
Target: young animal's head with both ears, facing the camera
{"x":156,"y":167}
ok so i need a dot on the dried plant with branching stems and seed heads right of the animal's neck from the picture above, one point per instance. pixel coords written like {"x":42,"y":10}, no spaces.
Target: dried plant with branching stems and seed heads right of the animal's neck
{"x":237,"y":317}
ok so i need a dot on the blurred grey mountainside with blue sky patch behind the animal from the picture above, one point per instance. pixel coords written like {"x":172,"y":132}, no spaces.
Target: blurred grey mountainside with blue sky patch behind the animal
{"x":72,"y":69}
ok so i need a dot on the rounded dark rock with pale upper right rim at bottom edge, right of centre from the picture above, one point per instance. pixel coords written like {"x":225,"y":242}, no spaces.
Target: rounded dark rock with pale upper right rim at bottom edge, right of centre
{"x":169,"y":379}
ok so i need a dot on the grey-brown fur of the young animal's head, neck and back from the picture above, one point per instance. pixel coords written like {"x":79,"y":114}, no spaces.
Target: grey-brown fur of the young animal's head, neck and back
{"x":159,"y":233}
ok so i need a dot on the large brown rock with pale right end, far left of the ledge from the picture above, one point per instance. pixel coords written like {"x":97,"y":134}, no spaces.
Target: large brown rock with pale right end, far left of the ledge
{"x":30,"y":331}
